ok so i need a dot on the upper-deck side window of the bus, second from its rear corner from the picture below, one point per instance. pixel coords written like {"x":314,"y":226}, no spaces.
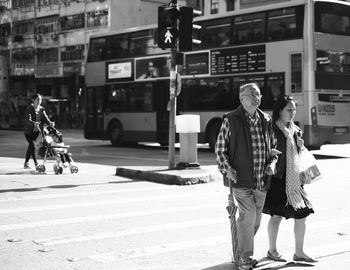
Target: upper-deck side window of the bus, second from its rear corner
{"x":249,"y":28}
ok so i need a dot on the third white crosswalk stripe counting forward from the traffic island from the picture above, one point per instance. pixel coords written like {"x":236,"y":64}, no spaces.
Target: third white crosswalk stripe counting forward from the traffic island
{"x":35,"y":224}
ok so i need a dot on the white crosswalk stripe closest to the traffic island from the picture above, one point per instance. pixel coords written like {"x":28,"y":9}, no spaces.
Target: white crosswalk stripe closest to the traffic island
{"x":81,"y":193}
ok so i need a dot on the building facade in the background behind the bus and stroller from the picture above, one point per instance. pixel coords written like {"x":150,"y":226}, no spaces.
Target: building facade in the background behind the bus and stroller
{"x":45,"y":44}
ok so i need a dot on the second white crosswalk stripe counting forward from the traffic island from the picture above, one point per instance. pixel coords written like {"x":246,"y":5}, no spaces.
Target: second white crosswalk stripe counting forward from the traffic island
{"x":99,"y":203}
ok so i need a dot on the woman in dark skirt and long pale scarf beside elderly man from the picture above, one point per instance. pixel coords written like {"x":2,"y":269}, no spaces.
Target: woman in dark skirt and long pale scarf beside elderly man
{"x":286,"y":196}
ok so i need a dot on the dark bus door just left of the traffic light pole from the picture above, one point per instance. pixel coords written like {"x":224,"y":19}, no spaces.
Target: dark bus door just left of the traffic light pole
{"x":161,"y":101}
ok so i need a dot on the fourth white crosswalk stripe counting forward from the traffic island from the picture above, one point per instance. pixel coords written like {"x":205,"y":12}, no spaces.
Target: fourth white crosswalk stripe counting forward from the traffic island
{"x":140,"y":230}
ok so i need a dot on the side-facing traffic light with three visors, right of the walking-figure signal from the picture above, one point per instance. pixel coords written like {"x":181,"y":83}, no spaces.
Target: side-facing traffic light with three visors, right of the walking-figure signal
{"x":186,"y":27}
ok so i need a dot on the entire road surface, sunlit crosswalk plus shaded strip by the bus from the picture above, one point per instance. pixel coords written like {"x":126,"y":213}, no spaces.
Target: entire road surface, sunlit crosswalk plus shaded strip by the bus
{"x":94,"y":220}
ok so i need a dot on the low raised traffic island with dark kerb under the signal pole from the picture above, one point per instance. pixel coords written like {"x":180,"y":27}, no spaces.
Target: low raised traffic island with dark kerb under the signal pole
{"x":163,"y":175}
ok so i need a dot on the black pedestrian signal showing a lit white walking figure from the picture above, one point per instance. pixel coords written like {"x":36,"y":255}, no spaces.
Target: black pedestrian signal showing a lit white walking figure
{"x":167,"y":26}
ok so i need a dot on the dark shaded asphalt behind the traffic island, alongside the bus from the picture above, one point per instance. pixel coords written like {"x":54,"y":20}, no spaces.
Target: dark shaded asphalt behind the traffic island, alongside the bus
{"x":13,"y":144}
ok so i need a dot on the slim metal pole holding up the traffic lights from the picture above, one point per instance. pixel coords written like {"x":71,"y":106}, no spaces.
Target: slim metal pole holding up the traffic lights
{"x":172,"y":109}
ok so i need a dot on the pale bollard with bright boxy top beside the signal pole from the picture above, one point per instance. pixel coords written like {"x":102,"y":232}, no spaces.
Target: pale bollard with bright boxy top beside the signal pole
{"x":188,"y":126}
